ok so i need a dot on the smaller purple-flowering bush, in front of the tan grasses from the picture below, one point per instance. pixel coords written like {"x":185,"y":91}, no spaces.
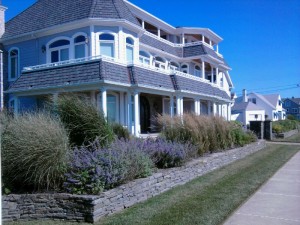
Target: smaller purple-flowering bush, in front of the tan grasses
{"x":166,"y":154}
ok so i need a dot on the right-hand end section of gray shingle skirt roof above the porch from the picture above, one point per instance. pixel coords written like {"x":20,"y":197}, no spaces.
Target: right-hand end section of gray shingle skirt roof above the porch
{"x":185,"y":84}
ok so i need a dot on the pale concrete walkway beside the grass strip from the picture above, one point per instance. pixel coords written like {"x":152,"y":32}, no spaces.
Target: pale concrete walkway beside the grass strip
{"x":277,"y":202}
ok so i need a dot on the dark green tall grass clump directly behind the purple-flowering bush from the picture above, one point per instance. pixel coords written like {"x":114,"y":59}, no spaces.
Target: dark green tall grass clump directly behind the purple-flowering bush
{"x":84,"y":122}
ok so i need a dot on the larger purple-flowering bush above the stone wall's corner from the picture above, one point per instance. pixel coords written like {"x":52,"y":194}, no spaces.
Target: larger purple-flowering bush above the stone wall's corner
{"x":90,"y":172}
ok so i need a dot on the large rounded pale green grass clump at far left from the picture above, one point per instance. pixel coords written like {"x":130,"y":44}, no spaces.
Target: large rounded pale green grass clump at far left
{"x":35,"y":148}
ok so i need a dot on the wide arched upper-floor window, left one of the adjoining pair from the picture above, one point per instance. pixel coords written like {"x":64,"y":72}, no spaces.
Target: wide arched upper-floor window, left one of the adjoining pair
{"x":59,"y":50}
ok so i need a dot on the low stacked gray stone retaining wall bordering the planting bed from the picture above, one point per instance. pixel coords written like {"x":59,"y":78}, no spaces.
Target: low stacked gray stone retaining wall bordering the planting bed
{"x":91,"y":208}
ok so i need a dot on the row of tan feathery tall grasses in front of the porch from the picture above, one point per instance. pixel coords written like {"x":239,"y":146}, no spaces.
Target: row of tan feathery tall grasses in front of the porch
{"x":209,"y":134}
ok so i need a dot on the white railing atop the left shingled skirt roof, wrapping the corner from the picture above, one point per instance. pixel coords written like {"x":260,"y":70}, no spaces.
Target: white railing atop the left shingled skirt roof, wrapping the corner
{"x":72,"y":61}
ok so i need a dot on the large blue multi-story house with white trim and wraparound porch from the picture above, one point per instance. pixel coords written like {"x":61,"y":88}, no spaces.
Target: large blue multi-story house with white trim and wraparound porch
{"x":130,"y":63}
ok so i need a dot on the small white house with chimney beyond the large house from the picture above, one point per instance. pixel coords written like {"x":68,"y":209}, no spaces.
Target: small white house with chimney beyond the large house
{"x":255,"y":106}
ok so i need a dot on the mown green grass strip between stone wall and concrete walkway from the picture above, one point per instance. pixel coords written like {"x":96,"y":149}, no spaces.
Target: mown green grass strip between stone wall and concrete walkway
{"x":206,"y":200}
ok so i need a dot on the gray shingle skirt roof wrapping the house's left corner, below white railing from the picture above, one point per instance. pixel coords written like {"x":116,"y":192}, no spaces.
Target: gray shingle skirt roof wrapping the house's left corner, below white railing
{"x":78,"y":74}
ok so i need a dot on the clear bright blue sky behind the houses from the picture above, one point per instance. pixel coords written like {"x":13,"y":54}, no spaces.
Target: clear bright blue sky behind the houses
{"x":261,"y":37}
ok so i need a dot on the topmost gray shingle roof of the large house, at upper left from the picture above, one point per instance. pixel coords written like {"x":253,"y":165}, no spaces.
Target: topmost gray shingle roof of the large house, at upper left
{"x":46,"y":13}
